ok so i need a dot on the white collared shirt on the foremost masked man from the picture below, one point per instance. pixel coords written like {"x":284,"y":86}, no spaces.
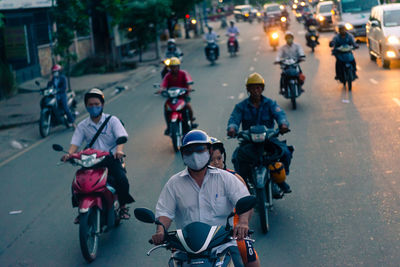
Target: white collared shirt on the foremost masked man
{"x":183,"y":201}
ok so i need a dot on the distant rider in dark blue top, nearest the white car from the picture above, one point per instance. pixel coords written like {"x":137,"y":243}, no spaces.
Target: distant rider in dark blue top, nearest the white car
{"x":341,"y":39}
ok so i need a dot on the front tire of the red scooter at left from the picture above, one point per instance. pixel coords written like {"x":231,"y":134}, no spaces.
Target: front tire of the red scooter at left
{"x":88,"y":238}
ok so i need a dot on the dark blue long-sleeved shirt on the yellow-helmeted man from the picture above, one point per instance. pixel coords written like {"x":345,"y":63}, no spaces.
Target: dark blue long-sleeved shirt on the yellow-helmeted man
{"x":246,"y":114}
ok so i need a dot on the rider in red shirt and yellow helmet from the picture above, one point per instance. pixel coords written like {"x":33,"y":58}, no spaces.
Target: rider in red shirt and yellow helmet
{"x":177,"y":78}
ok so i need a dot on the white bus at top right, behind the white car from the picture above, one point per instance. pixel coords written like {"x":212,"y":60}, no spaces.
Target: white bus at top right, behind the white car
{"x":355,"y":14}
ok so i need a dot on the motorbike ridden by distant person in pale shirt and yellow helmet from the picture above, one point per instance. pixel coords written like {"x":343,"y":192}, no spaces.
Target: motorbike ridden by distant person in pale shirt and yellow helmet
{"x":291,"y":76}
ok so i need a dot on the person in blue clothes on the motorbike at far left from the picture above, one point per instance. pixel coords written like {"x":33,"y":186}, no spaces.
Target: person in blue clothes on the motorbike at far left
{"x":59,"y":82}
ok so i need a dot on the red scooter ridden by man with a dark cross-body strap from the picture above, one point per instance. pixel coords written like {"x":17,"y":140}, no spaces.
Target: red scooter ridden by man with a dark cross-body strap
{"x":97,"y":201}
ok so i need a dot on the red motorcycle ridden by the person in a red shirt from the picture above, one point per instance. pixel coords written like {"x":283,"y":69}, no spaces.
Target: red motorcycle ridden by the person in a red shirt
{"x":179,"y":123}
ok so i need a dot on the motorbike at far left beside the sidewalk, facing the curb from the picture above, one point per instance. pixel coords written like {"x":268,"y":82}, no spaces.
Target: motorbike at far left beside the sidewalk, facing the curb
{"x":51,"y":114}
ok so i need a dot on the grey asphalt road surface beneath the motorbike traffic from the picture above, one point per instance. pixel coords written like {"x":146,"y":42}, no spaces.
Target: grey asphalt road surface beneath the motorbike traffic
{"x":345,"y":206}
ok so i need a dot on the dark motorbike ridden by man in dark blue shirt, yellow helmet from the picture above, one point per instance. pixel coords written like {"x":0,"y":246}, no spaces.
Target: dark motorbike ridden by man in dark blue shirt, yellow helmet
{"x":260,"y":182}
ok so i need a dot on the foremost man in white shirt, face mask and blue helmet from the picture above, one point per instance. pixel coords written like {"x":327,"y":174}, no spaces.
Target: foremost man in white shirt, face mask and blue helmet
{"x":201,"y":193}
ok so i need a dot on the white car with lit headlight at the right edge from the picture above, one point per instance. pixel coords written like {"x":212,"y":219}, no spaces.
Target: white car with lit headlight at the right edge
{"x":383,"y":33}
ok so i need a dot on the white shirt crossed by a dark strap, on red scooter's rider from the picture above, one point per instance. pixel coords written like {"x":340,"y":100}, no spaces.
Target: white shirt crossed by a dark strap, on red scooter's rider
{"x":86,"y":129}
